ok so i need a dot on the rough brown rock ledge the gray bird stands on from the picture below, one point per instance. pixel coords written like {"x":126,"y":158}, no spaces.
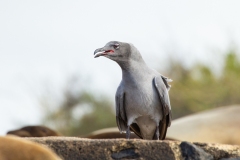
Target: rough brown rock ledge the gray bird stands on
{"x":72,"y":148}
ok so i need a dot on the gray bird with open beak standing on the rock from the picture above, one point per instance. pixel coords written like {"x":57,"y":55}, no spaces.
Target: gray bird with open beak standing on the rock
{"x":142,"y":100}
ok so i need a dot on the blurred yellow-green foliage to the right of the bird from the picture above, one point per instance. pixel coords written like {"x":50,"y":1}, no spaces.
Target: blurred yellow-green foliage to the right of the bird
{"x":198,"y":88}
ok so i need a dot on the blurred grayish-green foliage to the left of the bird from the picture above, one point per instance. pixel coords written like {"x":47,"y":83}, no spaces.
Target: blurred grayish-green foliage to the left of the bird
{"x":79,"y":113}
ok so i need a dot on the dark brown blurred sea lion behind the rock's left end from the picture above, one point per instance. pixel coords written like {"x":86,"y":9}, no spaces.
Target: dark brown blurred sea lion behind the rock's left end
{"x":34,"y":131}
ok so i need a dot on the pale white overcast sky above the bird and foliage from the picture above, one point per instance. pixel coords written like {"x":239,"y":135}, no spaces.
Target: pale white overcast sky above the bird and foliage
{"x":44,"y":42}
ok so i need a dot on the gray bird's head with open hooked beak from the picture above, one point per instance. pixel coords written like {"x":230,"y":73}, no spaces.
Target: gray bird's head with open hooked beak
{"x":114,"y":50}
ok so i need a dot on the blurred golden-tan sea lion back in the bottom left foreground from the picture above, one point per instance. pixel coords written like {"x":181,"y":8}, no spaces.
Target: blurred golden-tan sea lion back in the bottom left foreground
{"x":16,"y":148}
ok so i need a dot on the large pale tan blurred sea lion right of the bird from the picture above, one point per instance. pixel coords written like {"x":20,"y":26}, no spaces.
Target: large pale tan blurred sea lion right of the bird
{"x":220,"y":125}
